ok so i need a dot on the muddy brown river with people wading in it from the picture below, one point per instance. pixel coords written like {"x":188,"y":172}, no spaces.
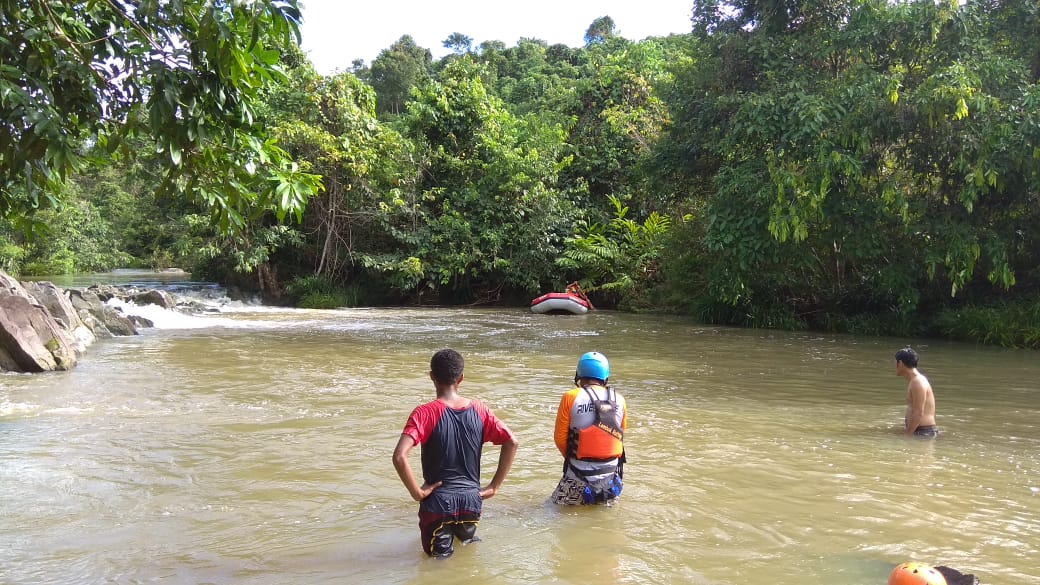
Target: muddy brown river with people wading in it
{"x":253,"y":447}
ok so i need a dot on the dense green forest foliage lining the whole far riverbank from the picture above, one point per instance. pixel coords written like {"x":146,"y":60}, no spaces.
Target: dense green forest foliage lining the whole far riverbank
{"x":856,"y":166}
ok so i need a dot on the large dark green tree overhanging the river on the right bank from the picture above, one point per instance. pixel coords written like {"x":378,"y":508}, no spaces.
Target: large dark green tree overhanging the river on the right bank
{"x":866,"y":158}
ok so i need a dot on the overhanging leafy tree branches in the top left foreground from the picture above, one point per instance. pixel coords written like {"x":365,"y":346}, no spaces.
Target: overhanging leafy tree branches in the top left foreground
{"x":185,"y":74}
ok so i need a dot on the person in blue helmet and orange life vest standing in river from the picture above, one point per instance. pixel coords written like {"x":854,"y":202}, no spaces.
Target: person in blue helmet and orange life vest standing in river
{"x":590,"y":435}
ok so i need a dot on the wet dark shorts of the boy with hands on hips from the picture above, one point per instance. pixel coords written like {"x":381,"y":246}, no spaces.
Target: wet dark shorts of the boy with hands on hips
{"x":446,"y":516}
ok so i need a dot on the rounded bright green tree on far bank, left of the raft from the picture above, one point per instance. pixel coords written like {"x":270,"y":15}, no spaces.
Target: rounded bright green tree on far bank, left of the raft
{"x":489,"y":217}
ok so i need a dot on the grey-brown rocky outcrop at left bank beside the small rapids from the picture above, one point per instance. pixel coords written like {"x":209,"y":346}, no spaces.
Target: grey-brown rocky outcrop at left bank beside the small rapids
{"x":45,"y":328}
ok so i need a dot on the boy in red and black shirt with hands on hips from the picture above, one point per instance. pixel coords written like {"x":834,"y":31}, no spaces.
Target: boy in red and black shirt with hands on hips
{"x":452,"y":430}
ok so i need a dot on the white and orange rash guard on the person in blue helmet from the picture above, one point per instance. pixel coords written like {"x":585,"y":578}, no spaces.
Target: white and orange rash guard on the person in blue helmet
{"x":577,"y":414}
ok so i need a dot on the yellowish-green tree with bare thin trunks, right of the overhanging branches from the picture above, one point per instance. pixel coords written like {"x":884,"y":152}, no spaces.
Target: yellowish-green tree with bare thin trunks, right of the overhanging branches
{"x":331,"y":123}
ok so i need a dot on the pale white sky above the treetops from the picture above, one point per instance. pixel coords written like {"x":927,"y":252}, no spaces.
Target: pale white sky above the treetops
{"x":335,"y":33}
